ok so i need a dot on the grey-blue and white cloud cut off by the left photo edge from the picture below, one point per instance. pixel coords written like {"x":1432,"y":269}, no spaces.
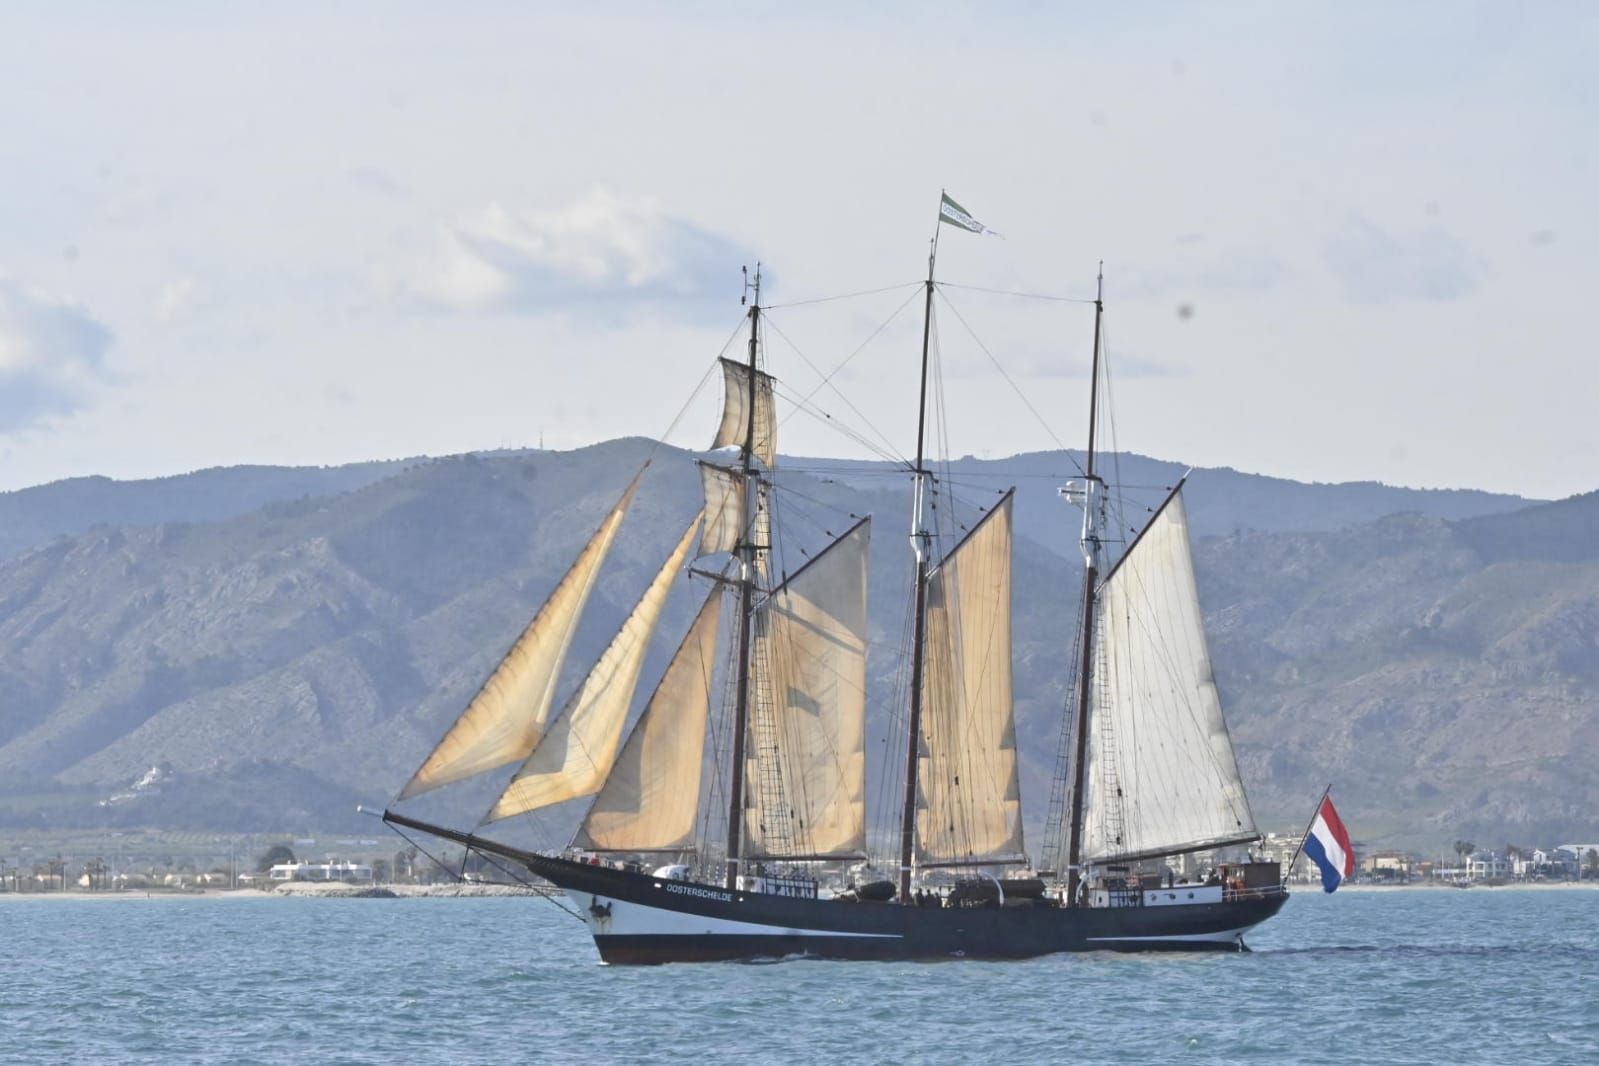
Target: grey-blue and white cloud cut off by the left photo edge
{"x":50,"y":352}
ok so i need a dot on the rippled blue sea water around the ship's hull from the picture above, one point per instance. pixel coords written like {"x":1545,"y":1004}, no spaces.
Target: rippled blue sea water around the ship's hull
{"x":1488,"y":976}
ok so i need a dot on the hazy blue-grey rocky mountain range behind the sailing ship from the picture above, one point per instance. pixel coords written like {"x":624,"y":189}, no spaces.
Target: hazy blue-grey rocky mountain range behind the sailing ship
{"x":290,"y":650}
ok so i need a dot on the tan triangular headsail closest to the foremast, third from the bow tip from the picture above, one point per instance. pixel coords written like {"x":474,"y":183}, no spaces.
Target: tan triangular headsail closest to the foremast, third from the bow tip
{"x":650,"y":801}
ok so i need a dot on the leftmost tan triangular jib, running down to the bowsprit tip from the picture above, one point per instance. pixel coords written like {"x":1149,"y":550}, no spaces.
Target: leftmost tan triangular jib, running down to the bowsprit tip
{"x":506,"y":718}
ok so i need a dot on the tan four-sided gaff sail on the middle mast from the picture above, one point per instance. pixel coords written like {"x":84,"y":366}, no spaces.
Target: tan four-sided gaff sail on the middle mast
{"x":970,"y":801}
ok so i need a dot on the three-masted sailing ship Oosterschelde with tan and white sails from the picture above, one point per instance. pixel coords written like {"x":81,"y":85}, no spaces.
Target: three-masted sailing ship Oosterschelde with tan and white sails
{"x":728,"y":817}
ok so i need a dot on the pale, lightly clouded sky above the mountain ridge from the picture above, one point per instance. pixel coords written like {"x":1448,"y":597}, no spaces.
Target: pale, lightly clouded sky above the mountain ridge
{"x":1342,"y":242}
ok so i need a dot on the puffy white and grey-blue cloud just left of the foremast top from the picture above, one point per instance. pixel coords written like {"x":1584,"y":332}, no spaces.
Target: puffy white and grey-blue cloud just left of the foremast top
{"x":602,"y":249}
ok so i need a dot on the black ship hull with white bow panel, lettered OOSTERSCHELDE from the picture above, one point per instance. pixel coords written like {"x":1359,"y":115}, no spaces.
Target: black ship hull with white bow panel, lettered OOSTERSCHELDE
{"x":637,"y":918}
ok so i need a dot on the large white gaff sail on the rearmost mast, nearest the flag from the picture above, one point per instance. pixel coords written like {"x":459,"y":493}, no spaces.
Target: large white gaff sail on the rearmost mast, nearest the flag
{"x":1162,"y":776}
